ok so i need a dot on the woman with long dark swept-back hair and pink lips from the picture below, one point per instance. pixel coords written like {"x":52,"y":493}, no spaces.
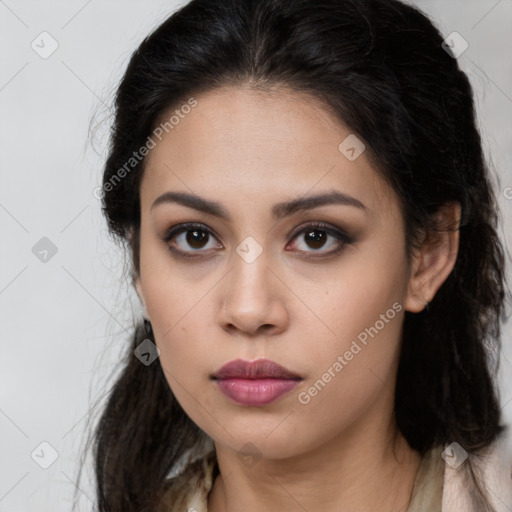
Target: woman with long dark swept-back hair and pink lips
{"x":302,"y":190}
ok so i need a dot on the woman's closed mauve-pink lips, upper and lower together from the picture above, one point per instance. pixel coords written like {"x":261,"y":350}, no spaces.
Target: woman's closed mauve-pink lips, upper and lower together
{"x":255,"y":382}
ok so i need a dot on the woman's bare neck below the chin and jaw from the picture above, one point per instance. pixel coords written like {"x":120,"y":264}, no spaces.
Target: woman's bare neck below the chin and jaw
{"x":357,"y":471}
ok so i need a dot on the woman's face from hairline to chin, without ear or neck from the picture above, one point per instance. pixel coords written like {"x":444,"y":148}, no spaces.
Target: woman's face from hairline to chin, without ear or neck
{"x":326,"y":303}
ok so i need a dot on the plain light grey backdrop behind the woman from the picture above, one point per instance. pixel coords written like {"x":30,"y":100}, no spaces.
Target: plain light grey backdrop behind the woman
{"x":64,"y":304}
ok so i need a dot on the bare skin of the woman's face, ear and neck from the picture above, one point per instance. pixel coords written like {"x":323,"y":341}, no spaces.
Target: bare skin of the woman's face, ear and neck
{"x":249,"y":150}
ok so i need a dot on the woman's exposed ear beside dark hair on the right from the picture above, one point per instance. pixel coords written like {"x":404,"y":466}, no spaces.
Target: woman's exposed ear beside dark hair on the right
{"x":433,"y":263}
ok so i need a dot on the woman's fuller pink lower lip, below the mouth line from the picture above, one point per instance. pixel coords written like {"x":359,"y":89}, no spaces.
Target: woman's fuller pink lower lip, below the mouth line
{"x":255,"y":391}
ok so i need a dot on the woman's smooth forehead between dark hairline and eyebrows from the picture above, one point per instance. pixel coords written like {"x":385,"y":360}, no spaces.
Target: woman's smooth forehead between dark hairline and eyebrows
{"x":258,"y":144}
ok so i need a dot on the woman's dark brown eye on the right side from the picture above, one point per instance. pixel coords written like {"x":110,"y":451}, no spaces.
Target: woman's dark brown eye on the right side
{"x":321,"y":238}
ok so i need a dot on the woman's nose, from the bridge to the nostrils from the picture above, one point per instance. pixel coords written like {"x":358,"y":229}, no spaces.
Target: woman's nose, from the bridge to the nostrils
{"x":253,"y":299}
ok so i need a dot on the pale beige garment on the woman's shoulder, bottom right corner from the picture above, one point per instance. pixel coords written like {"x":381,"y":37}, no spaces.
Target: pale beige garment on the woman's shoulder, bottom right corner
{"x":493,"y":465}
